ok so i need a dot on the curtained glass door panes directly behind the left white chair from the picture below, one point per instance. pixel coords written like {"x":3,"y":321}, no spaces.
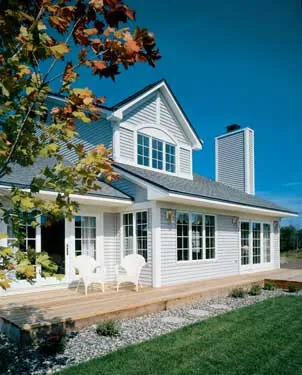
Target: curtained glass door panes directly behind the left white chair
{"x":85,"y":235}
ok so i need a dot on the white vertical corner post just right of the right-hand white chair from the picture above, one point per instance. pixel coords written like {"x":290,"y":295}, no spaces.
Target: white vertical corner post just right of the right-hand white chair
{"x":156,"y":246}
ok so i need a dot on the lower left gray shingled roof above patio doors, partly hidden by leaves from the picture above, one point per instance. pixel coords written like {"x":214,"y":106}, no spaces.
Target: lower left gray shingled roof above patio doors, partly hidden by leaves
{"x":22,"y":177}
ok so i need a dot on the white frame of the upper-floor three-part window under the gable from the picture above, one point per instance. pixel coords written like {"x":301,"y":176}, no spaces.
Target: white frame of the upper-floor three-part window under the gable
{"x":150,"y":154}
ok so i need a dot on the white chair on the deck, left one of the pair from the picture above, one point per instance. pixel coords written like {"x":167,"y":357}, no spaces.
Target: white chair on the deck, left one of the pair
{"x":90,"y":272}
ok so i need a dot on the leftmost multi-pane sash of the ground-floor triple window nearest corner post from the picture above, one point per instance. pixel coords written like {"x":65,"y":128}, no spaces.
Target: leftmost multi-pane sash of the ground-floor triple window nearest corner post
{"x":182,"y":221}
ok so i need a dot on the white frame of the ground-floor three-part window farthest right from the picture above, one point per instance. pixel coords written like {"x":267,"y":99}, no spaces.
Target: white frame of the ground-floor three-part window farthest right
{"x":262,"y":261}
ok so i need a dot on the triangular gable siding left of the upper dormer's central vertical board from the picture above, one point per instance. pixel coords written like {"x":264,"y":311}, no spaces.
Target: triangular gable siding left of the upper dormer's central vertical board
{"x":143,"y":113}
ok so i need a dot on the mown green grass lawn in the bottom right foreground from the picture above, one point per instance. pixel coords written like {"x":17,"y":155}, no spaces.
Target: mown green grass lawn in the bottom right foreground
{"x":265,"y":338}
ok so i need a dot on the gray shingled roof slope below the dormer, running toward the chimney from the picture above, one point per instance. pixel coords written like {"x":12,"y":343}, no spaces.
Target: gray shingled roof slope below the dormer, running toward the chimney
{"x":200,"y":187}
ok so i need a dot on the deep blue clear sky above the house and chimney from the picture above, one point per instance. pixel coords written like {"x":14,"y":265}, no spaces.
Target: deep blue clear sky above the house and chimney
{"x":230,"y":62}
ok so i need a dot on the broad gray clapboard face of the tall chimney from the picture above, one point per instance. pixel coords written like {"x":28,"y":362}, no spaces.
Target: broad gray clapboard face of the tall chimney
{"x":230,"y":160}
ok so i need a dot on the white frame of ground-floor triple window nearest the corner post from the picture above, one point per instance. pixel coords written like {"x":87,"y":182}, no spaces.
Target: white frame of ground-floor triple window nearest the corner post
{"x":203,"y":260}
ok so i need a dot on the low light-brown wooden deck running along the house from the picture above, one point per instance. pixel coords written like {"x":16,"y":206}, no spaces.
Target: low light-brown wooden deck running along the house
{"x":23,"y":317}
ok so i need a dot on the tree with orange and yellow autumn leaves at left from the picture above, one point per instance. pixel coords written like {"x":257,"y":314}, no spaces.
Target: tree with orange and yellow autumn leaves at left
{"x":38,"y":44}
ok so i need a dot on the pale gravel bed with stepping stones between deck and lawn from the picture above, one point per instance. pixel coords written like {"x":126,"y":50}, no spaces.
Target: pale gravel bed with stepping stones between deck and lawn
{"x":87,"y":344}
